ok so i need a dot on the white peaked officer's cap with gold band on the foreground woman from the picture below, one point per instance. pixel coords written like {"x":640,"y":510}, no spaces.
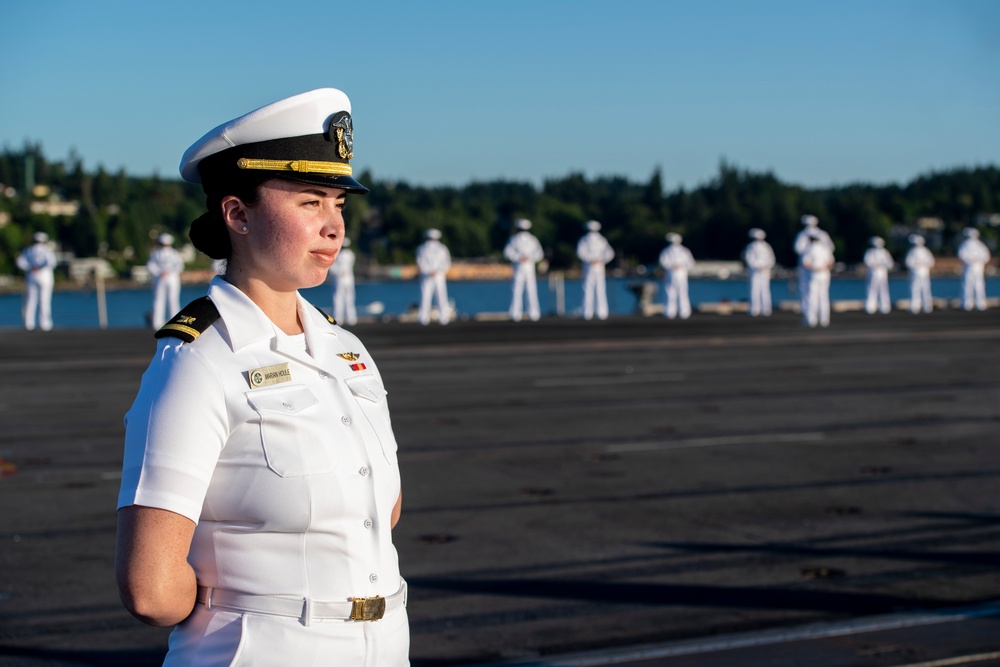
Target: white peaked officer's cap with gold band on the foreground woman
{"x":307,"y":138}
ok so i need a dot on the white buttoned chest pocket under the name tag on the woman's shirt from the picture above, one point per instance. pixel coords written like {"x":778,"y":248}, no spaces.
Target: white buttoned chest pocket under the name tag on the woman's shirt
{"x":291,"y":431}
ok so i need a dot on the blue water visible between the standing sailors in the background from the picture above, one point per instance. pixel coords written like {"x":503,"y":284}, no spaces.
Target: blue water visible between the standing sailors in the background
{"x":130,"y":308}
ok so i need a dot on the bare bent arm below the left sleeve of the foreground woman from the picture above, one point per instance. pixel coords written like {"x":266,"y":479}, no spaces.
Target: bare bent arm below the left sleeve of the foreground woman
{"x":155,"y":581}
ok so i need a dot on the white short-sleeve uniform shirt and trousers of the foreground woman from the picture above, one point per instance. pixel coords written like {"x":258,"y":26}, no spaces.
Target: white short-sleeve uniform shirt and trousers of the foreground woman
{"x":291,"y":485}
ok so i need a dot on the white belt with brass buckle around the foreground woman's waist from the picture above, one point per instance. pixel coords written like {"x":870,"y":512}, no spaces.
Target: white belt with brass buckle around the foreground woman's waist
{"x":305,"y":609}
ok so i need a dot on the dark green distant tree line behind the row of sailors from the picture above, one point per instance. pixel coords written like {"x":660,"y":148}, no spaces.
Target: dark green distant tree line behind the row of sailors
{"x":119,"y":215}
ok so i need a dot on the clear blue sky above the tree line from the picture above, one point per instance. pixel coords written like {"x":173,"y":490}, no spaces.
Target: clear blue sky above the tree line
{"x":819,"y":93}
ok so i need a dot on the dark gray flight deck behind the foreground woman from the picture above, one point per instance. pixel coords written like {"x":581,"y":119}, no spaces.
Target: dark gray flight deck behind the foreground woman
{"x":590,"y":492}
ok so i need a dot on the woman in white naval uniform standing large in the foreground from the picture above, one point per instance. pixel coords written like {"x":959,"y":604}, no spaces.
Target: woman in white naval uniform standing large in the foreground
{"x":260,"y":480}
